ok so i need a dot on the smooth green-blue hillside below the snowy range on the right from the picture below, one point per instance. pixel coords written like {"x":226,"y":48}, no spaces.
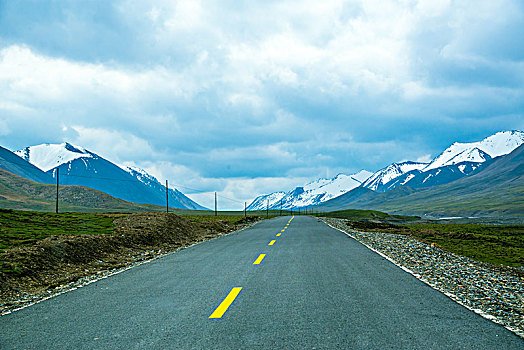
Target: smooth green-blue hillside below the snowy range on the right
{"x":497,"y":189}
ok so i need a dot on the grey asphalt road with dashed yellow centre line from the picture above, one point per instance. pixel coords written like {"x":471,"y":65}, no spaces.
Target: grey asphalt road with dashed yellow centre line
{"x":314,"y":289}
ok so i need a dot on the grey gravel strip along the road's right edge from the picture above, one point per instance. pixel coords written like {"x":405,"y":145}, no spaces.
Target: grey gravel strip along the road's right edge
{"x":495,"y":292}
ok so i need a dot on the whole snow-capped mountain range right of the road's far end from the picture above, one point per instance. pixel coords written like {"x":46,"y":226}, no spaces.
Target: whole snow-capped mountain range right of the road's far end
{"x":458,"y":161}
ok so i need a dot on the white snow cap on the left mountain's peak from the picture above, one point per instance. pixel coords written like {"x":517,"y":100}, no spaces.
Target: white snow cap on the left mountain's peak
{"x":48,"y":156}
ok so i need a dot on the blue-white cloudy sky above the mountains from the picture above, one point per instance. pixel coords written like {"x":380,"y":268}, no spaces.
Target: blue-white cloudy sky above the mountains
{"x":250,"y":97}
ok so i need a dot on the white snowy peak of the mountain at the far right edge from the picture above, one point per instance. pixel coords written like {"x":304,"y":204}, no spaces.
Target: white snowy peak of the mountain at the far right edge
{"x":493,"y":146}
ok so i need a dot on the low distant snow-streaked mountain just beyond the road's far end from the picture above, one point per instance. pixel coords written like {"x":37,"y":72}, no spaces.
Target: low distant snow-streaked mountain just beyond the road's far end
{"x":313,"y":193}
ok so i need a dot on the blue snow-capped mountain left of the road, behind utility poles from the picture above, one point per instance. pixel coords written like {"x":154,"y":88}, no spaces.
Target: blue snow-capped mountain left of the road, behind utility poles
{"x":79,"y":166}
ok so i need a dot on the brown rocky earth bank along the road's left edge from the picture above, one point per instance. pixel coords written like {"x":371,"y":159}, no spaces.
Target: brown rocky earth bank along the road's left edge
{"x":64,"y":262}
